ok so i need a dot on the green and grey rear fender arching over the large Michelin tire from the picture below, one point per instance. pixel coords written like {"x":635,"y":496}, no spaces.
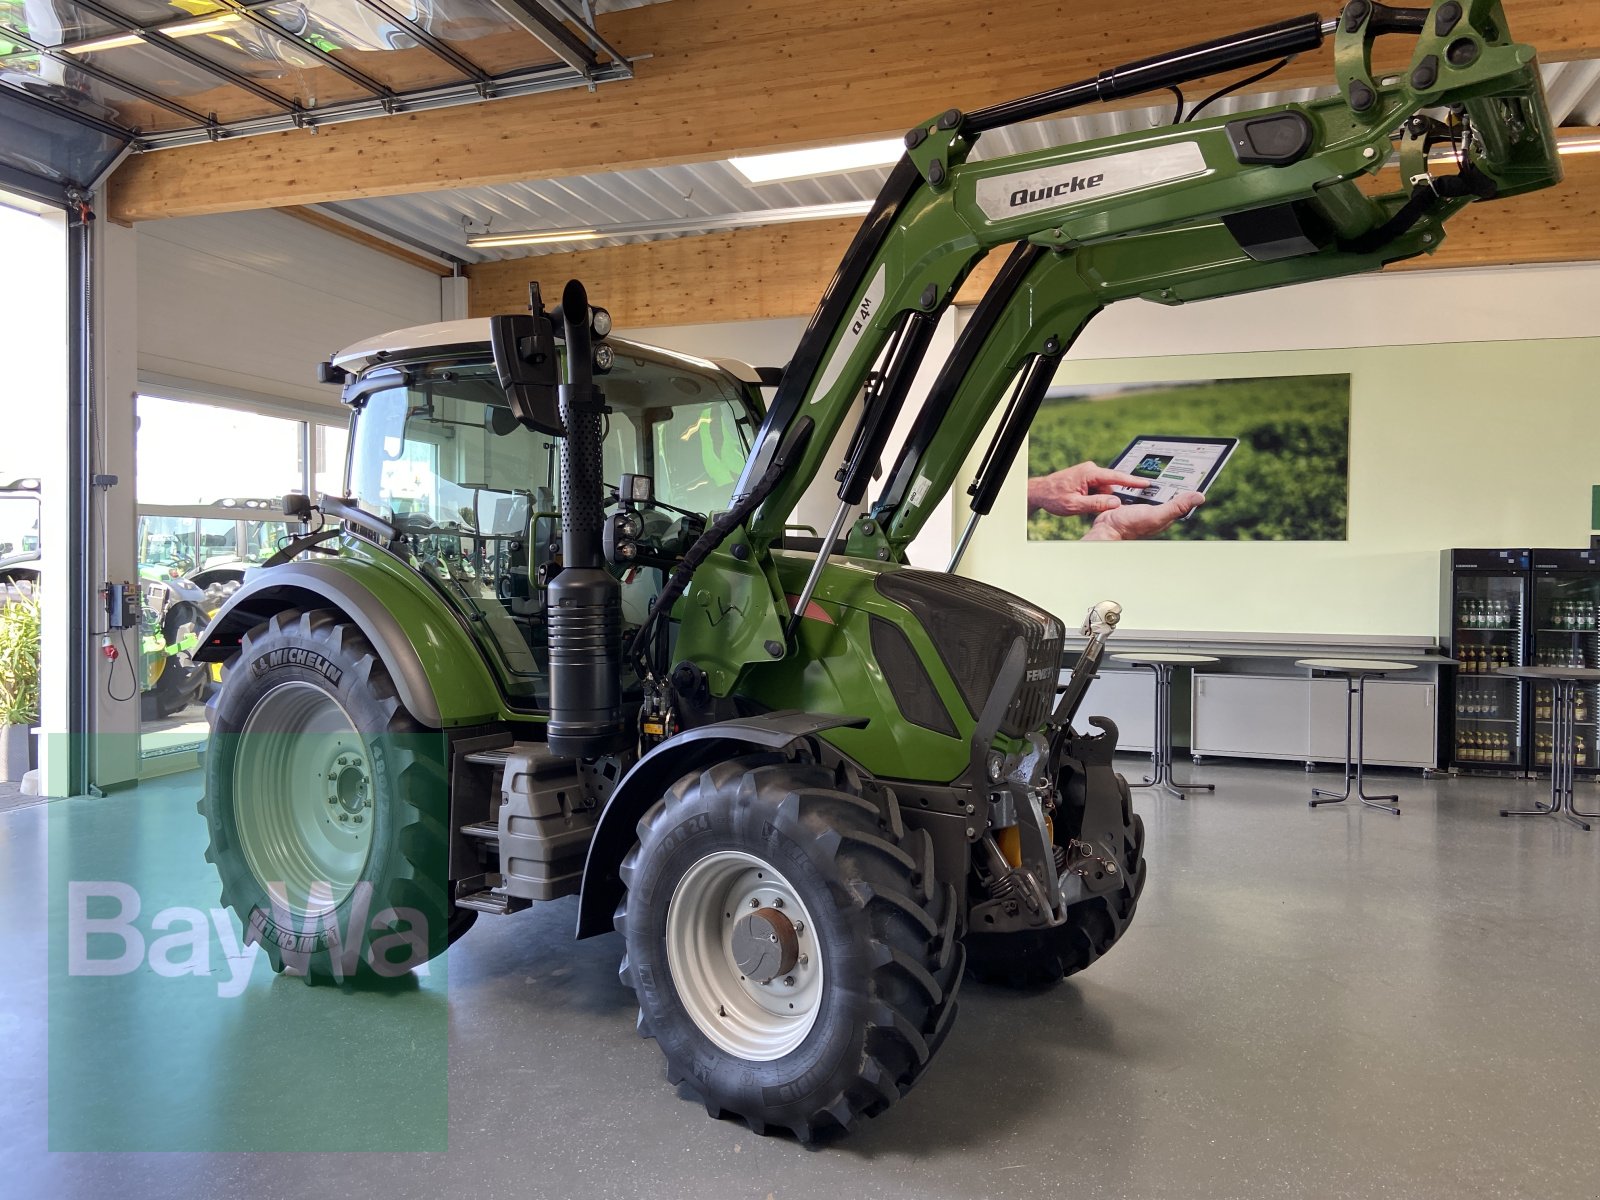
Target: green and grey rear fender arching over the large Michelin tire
{"x":438,"y":670}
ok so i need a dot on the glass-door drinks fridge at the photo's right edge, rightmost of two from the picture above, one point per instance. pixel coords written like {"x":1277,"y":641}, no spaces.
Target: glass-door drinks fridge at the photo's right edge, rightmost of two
{"x":1566,"y":607}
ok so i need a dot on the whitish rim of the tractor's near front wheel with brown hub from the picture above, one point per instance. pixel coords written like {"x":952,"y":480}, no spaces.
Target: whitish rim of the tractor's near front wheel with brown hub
{"x":751,"y":1018}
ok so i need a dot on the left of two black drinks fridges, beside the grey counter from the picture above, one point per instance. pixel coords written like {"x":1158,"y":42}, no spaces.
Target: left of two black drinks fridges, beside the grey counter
{"x":1486,"y":606}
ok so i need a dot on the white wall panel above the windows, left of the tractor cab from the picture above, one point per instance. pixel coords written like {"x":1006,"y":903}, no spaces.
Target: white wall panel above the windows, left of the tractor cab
{"x":254,"y":302}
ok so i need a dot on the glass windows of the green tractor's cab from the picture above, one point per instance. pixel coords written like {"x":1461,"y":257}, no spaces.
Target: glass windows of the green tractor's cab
{"x":476,"y":495}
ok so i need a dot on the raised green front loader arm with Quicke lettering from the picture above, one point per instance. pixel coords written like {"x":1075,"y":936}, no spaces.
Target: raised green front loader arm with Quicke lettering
{"x":1186,"y":212}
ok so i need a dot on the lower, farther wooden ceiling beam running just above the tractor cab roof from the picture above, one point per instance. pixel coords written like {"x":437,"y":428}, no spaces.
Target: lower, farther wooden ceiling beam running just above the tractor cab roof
{"x":780,"y":271}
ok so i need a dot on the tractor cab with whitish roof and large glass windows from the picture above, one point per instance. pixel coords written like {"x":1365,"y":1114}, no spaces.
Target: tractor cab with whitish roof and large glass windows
{"x":474,"y":495}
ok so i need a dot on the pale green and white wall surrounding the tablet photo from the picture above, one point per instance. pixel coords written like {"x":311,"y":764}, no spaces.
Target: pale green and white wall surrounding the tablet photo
{"x":1473,"y":423}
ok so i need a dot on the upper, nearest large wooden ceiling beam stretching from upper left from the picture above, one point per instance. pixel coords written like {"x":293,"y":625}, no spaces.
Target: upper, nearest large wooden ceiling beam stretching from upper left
{"x":738,"y":76}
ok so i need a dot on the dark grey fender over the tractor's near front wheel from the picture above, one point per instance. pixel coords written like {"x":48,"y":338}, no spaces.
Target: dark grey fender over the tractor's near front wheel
{"x":655,"y":774}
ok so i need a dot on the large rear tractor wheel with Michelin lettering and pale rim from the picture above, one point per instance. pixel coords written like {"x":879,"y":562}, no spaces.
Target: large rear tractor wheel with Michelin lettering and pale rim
{"x":327,"y":806}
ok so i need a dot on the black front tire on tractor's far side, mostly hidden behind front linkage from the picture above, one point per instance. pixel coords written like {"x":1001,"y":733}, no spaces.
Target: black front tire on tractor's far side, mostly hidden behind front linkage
{"x":1041,"y":958}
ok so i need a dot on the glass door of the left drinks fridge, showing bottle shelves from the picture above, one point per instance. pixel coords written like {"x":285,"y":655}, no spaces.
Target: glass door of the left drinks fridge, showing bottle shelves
{"x":1487,"y":636}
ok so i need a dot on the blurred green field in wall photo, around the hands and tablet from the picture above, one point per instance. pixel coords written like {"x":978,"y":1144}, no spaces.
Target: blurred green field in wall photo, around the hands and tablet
{"x":1287,"y":481}
